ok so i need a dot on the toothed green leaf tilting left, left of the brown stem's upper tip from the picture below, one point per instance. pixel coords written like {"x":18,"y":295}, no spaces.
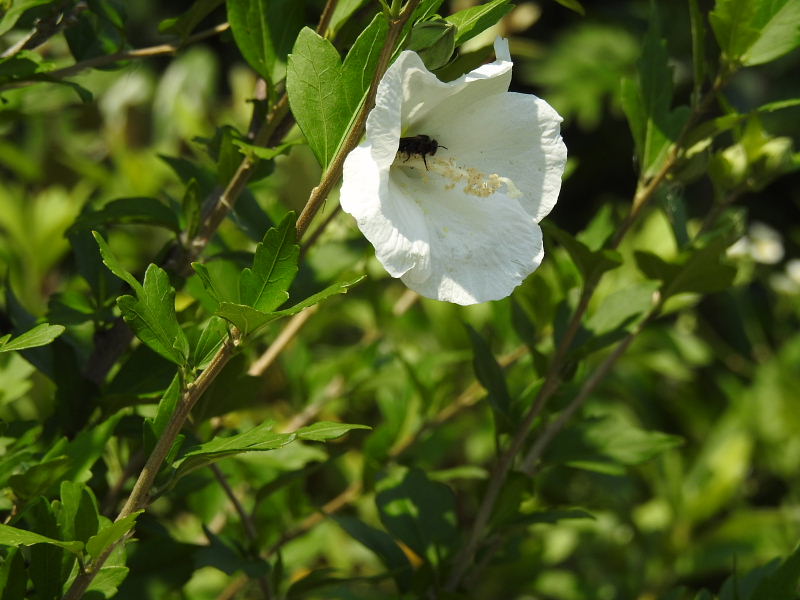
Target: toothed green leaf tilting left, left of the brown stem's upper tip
{"x":152,"y":316}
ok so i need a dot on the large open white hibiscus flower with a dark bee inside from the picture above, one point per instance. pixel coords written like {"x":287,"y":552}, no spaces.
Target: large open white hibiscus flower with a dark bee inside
{"x":460,"y":226}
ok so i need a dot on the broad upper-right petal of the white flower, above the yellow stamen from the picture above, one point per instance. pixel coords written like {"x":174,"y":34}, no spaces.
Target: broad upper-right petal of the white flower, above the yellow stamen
{"x":513,"y":135}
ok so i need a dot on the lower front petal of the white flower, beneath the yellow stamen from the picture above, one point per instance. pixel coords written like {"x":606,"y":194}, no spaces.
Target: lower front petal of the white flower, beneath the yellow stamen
{"x":480,"y":248}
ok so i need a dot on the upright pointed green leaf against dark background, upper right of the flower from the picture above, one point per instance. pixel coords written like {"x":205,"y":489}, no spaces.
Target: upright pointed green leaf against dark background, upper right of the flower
{"x":647,"y":100}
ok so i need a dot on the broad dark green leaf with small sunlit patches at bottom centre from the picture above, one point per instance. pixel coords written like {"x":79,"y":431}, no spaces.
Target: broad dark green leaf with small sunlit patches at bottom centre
{"x":420,"y":513}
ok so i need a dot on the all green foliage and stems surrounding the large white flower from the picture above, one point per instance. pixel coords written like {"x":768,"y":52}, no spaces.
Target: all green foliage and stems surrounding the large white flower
{"x":624,"y":426}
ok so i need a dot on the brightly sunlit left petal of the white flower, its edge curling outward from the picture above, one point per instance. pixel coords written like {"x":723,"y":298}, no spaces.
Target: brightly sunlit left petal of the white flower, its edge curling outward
{"x":393,"y":225}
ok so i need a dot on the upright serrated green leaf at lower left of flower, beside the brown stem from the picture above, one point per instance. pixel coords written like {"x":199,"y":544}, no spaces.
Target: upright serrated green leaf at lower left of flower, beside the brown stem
{"x":264,"y":286}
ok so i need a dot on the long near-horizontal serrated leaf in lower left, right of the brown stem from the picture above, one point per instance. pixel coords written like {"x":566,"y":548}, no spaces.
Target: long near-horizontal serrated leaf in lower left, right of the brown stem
{"x":258,"y":439}
